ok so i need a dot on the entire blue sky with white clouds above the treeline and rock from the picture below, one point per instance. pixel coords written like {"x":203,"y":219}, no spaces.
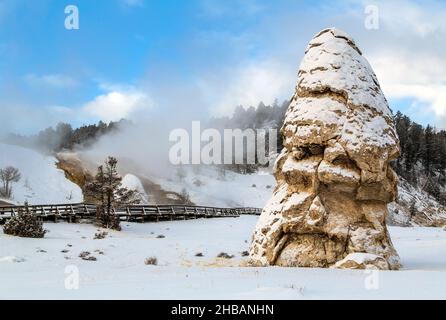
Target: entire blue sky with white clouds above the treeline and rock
{"x":196,"y":58}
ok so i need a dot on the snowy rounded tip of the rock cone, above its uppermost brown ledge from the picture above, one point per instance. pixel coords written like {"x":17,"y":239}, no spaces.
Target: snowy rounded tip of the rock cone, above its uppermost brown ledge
{"x":334,"y":61}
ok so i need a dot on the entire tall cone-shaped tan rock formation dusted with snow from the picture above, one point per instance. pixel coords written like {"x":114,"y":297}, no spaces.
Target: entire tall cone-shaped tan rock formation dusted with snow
{"x":333,"y":176}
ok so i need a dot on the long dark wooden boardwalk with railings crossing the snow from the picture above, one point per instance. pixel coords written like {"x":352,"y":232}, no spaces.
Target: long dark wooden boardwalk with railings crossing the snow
{"x":135,"y":213}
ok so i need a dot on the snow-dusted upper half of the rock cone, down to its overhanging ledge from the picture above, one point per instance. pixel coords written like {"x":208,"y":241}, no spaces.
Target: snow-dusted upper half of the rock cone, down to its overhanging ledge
{"x":338,"y":97}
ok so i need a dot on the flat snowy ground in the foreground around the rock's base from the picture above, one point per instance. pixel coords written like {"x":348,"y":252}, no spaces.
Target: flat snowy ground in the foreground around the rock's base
{"x":35,"y":268}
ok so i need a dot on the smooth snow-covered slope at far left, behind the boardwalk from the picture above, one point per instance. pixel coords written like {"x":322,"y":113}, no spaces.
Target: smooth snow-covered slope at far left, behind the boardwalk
{"x":41,"y":181}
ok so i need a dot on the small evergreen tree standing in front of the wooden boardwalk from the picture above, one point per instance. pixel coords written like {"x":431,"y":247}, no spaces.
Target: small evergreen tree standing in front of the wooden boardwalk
{"x":106,"y":191}
